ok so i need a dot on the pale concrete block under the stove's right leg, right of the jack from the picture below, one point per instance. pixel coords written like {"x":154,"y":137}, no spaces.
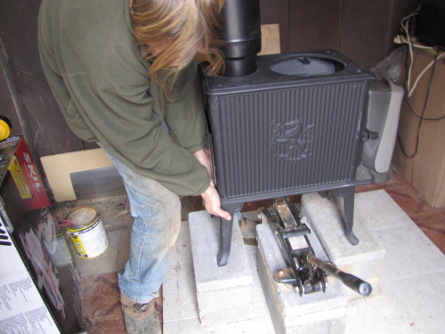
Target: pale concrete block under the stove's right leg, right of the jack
{"x":365,"y":260}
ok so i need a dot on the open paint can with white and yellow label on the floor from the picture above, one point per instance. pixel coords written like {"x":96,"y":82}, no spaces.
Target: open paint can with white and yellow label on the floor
{"x":87,"y":232}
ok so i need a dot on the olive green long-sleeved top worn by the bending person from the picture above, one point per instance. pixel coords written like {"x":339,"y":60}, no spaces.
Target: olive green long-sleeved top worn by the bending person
{"x":103,"y":87}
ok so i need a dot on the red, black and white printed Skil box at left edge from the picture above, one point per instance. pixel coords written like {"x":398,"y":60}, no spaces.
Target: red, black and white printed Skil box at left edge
{"x":39,"y":284}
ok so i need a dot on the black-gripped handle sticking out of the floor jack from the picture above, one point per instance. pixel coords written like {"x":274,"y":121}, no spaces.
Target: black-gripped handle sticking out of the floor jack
{"x":351,"y":281}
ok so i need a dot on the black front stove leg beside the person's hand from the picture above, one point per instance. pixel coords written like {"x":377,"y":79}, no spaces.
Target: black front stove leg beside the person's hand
{"x":225,"y":237}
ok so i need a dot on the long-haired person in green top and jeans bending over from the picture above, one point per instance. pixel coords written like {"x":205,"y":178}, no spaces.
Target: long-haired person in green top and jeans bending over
{"x":125,"y":75}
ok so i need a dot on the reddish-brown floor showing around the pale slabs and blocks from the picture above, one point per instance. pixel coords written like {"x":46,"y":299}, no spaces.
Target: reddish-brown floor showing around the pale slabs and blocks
{"x":101,"y":308}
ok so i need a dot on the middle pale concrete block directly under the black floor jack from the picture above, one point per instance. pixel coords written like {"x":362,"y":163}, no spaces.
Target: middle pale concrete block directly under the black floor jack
{"x":312,"y":313}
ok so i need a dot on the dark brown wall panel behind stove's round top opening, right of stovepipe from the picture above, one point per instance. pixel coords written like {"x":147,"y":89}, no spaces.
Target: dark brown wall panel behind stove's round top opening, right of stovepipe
{"x":363,"y":30}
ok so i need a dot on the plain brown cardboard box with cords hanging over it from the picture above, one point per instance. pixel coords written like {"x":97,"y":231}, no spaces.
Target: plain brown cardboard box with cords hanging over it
{"x":422,"y":159}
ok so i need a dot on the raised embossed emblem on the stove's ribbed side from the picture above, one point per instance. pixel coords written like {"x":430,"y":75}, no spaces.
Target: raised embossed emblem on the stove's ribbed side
{"x":291,"y":140}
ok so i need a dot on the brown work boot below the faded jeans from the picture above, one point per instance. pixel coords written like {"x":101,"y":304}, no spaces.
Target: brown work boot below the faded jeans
{"x":140,"y":318}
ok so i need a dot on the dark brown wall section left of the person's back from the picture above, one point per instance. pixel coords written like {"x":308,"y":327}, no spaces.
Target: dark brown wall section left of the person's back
{"x":45,"y":128}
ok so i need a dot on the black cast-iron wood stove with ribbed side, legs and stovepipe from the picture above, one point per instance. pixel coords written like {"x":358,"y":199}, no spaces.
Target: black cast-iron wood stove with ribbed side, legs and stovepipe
{"x":283,"y":125}
